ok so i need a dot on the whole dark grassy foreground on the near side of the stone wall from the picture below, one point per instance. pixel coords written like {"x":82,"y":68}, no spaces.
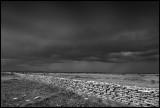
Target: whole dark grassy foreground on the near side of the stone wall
{"x":17,"y":92}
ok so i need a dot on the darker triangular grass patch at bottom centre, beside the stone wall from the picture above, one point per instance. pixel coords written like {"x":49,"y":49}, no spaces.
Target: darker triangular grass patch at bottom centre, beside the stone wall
{"x":66,"y":99}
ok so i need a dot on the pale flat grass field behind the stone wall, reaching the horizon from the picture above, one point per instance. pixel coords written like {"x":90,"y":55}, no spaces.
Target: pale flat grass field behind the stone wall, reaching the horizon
{"x":140,"y":80}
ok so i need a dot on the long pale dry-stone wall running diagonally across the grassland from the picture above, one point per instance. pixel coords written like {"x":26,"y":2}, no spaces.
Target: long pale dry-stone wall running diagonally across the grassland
{"x":129,"y":95}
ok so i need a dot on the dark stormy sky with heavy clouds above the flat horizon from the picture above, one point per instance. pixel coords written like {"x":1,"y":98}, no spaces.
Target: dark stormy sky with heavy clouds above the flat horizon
{"x":80,"y":36}
